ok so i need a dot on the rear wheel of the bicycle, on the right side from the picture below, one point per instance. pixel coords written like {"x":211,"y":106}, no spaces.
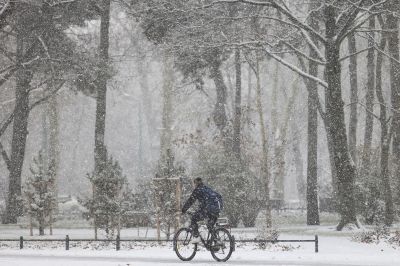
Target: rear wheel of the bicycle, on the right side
{"x":222,"y":244}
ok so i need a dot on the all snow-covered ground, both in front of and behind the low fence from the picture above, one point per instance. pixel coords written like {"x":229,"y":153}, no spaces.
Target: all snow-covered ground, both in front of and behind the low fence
{"x":334,"y":249}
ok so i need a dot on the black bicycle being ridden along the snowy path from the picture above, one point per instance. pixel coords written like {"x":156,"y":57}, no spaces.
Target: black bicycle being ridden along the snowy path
{"x":219,"y":242}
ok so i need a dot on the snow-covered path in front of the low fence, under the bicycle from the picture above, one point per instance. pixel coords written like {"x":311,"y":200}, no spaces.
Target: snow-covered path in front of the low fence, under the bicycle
{"x":333,"y":251}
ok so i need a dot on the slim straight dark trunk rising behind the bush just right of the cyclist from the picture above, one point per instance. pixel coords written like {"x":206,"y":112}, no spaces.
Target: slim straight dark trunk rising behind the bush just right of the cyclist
{"x":238,"y":107}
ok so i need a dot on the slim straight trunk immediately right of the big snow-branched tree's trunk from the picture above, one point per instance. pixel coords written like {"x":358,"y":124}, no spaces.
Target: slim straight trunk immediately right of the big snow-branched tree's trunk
{"x":353,"y":121}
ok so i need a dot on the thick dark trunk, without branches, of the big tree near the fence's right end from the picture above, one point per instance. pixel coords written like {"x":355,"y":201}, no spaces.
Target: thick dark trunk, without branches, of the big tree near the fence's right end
{"x":337,"y":129}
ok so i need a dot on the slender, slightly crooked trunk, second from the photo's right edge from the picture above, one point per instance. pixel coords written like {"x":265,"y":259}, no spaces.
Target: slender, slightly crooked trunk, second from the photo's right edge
{"x":385,"y":139}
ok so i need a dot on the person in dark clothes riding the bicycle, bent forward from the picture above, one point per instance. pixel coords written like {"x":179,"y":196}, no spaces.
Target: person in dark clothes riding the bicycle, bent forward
{"x":210,"y":206}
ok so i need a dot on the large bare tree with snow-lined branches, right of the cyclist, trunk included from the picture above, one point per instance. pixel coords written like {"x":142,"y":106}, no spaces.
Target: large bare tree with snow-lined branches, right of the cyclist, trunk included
{"x":340,"y":20}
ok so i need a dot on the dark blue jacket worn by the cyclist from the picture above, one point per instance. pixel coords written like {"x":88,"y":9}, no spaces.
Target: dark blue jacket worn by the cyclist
{"x":209,"y":200}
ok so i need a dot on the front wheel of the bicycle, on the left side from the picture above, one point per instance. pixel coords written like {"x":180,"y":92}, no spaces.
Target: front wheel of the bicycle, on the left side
{"x":182,"y":246}
